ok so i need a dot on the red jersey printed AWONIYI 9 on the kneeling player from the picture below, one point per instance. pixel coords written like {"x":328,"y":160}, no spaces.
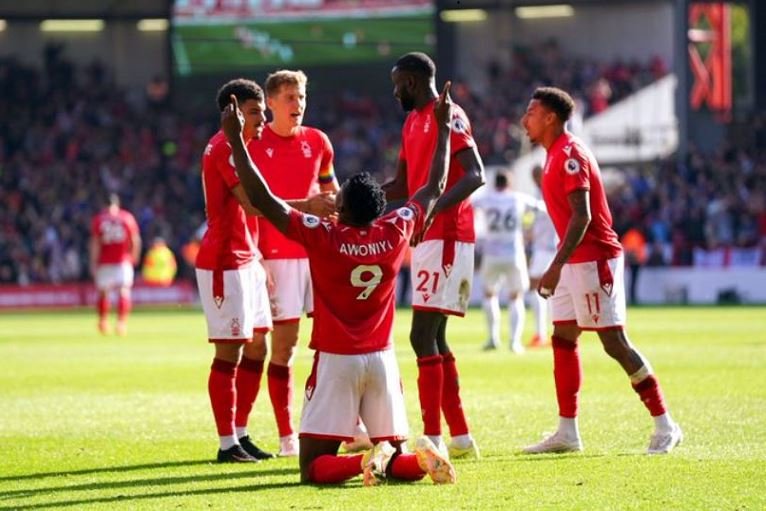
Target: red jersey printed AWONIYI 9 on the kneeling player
{"x":353,"y":273}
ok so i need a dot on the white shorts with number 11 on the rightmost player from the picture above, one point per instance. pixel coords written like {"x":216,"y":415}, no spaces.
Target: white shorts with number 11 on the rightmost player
{"x":591,"y":295}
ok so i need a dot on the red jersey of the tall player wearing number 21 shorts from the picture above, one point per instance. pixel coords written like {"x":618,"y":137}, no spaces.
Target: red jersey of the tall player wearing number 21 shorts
{"x":419,"y":137}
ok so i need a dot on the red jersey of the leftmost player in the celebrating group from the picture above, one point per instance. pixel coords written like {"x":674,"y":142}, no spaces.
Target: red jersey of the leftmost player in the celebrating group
{"x":228,"y":242}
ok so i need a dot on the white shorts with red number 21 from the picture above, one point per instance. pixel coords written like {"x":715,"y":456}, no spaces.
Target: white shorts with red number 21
{"x":442,"y":274}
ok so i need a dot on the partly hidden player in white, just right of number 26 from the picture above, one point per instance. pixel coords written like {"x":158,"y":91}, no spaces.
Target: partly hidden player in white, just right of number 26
{"x":543,"y":243}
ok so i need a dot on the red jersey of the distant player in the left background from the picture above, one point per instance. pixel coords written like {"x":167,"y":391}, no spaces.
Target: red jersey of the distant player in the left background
{"x":115,"y":236}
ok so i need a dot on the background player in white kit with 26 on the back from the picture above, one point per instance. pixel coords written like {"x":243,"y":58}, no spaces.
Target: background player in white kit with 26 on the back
{"x":504,"y":261}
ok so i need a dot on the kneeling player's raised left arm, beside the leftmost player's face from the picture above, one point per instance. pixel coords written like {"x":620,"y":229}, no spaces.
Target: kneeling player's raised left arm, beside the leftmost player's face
{"x":271,"y":206}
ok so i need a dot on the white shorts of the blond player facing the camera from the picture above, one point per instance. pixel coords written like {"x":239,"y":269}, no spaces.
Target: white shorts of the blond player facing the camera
{"x":291,"y":295}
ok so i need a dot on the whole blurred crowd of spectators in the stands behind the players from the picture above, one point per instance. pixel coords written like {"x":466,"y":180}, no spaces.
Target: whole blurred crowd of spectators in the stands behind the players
{"x":69,"y":135}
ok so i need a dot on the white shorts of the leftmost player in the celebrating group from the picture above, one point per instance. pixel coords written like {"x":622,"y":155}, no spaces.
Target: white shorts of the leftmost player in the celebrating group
{"x":235,"y":303}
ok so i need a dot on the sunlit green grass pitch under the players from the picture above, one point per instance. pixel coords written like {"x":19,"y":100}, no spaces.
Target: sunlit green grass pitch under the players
{"x":91,"y":422}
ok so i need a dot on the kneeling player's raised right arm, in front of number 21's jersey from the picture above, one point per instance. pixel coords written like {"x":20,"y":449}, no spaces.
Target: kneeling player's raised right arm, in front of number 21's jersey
{"x":429,"y":193}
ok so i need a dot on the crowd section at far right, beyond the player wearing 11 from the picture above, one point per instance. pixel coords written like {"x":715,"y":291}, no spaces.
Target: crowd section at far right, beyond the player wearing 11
{"x":709,"y":211}
